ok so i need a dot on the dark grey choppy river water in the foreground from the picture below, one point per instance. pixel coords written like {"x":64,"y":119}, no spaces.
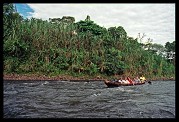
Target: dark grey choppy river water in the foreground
{"x":67,"y":99}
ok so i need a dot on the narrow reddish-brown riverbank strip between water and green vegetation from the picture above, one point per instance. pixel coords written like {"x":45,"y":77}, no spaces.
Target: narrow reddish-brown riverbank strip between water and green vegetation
{"x":67,"y":77}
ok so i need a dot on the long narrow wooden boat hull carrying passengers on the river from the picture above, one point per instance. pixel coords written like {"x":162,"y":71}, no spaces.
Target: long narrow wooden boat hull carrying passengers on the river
{"x":117,"y":84}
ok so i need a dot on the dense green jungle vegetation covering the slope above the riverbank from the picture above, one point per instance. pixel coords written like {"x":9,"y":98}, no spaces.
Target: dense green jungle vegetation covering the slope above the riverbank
{"x":63,"y":46}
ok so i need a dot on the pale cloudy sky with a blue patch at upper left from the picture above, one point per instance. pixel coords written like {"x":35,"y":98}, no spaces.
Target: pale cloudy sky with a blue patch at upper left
{"x":156,"y":21}
